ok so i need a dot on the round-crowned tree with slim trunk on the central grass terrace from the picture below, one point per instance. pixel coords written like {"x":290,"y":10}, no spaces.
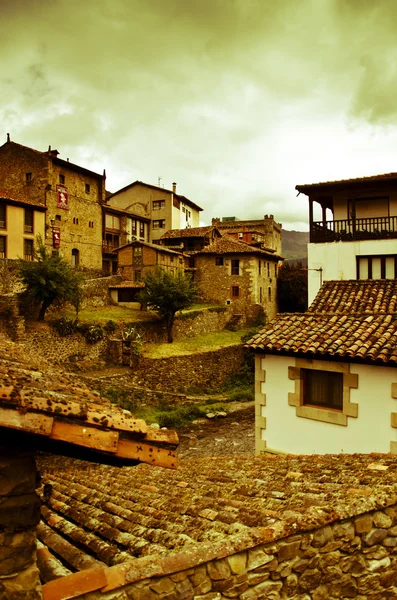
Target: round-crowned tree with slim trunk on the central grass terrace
{"x":167,"y":293}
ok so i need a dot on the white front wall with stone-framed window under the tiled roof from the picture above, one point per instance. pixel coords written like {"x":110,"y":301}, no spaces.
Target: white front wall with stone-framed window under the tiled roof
{"x":279,"y":428}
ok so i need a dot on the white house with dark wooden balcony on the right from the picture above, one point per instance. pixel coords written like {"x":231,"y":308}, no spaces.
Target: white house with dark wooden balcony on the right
{"x":353,"y":229}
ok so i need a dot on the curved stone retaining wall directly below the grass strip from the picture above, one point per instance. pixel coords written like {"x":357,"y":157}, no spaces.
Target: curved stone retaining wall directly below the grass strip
{"x":176,"y":373}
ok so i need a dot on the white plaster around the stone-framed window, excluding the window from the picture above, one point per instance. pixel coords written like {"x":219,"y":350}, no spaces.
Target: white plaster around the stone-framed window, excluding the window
{"x":371,"y":431}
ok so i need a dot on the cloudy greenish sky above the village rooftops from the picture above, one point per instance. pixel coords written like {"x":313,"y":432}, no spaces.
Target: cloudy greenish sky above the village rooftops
{"x":235,"y":100}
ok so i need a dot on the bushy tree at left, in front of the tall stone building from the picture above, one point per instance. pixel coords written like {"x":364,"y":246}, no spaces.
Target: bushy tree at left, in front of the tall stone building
{"x":48,"y":279}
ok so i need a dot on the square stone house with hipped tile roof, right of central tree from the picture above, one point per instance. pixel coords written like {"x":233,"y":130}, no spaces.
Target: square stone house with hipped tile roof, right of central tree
{"x":231,"y":272}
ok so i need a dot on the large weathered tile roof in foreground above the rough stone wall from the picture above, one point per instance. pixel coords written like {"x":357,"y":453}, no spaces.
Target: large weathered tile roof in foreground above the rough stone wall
{"x":131,"y":524}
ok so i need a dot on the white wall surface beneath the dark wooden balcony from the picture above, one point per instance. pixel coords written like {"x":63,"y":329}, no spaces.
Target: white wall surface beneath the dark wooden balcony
{"x":338,"y":260}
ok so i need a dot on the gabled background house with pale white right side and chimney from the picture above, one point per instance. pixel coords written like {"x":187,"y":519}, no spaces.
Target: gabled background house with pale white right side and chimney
{"x":165,"y":208}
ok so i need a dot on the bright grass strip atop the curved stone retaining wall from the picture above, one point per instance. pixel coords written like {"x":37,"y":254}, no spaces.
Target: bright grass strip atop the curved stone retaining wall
{"x":199,"y":343}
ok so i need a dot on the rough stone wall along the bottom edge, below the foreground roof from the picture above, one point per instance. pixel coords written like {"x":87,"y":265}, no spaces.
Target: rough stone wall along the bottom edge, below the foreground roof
{"x":352,"y":558}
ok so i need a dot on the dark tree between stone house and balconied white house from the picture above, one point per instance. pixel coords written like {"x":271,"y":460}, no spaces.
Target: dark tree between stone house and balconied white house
{"x":292,"y":288}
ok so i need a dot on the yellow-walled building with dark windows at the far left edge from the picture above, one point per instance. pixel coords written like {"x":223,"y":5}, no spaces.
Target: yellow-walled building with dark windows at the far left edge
{"x":21,"y":221}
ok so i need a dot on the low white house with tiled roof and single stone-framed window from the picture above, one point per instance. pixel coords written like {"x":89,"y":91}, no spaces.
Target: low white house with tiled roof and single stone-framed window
{"x":326,"y":380}
